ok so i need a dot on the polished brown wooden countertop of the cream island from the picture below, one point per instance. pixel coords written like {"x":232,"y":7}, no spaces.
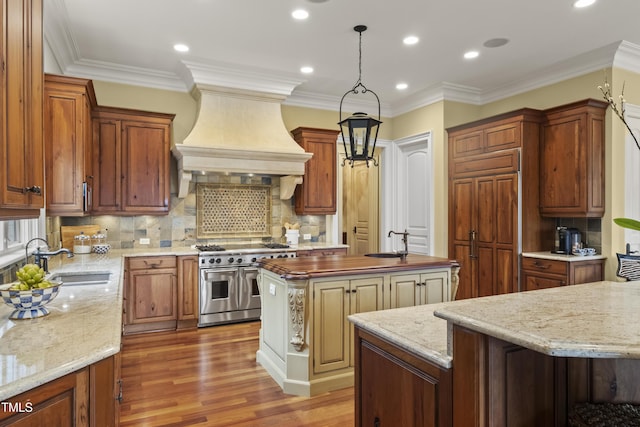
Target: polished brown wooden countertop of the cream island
{"x":341,"y":265}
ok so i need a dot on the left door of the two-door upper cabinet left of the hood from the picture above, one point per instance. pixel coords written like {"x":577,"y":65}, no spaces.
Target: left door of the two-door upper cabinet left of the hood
{"x":107,"y":166}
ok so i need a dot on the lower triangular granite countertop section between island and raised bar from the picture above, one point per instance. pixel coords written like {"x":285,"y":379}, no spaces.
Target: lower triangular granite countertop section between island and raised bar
{"x":413,"y":329}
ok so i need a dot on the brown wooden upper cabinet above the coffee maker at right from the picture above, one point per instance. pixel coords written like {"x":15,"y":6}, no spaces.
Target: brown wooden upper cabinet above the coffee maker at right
{"x":572,"y":160}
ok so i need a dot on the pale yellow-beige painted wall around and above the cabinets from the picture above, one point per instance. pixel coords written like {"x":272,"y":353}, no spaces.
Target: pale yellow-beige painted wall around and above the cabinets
{"x":435,"y":118}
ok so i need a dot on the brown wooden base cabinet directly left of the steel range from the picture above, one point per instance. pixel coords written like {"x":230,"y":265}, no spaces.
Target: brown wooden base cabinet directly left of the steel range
{"x":161,"y":293}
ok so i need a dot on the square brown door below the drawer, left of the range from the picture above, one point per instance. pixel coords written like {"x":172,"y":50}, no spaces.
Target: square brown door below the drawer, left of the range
{"x":153,"y":295}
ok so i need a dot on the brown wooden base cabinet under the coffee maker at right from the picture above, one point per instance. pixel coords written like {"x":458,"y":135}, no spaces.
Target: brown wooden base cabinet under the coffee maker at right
{"x":540,"y":273}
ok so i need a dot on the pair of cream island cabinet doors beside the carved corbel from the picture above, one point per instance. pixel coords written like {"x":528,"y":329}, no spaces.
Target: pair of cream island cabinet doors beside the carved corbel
{"x":333,"y":301}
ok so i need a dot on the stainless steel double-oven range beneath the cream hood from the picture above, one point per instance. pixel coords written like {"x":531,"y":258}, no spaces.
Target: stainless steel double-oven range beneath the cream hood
{"x":228,"y":281}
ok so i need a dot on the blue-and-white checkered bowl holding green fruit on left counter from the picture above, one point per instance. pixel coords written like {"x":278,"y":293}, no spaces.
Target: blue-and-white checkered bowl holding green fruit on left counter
{"x":28,"y":304}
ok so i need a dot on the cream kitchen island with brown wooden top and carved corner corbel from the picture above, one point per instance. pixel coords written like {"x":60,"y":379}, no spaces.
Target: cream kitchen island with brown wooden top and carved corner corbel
{"x":306,"y":341}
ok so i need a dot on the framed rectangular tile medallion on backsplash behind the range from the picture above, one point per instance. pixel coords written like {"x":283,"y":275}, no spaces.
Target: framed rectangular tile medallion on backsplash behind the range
{"x":225,"y":210}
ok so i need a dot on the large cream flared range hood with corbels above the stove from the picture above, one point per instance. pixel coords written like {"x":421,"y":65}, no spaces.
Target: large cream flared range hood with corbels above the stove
{"x":239,"y":131}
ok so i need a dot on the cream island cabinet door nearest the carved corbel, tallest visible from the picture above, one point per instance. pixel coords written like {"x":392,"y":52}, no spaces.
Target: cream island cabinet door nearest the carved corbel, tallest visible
{"x":331,"y":341}
